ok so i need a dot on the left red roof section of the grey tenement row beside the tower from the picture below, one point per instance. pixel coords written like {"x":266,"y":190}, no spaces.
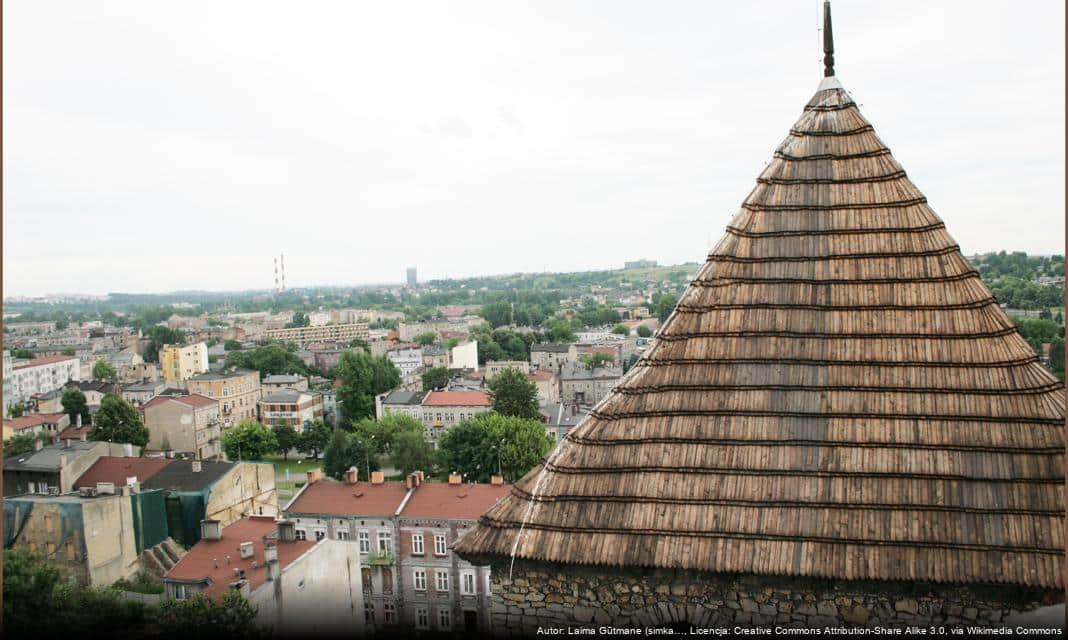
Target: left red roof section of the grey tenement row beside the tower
{"x":329,"y":497}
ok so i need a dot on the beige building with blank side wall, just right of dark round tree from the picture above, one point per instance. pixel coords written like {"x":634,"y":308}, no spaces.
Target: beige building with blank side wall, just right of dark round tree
{"x":184,"y":425}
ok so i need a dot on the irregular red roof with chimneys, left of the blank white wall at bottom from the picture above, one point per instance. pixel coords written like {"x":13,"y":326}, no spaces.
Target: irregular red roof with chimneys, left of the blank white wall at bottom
{"x":200,"y":563}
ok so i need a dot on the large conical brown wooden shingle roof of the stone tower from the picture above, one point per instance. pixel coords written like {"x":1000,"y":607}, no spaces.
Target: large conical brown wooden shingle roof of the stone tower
{"x":838,"y":395}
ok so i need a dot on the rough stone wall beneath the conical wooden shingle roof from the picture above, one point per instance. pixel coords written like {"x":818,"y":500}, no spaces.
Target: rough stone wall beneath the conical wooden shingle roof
{"x":556,"y":596}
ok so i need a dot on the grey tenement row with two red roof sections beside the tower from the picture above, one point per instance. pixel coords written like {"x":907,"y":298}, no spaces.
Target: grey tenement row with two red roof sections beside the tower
{"x":405,"y":533}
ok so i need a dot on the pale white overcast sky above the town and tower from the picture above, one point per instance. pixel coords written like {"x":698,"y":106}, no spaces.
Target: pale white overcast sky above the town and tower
{"x":154,"y":147}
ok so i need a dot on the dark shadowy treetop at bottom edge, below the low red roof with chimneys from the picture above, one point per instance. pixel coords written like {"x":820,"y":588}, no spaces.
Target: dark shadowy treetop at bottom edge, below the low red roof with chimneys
{"x":201,"y":617}
